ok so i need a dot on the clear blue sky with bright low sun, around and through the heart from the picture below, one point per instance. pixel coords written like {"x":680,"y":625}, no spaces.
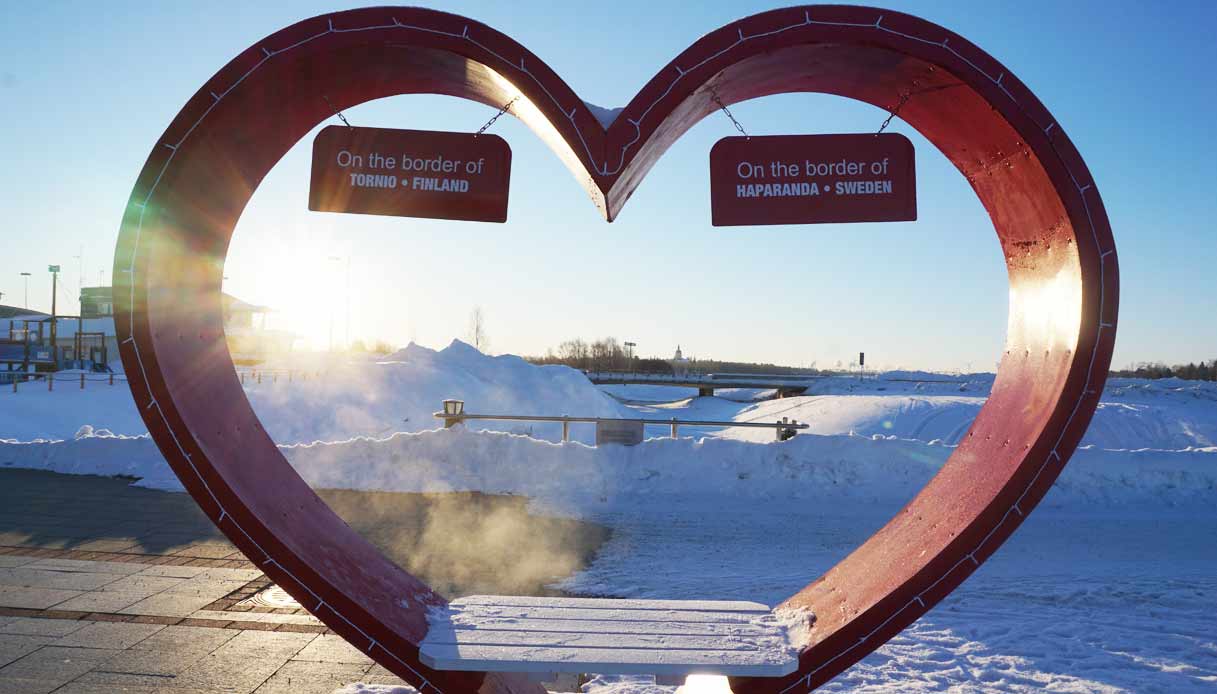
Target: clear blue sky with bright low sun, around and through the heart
{"x":87,"y":91}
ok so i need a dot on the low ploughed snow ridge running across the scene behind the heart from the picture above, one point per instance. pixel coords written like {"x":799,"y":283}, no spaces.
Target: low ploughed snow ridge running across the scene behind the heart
{"x":829,"y":471}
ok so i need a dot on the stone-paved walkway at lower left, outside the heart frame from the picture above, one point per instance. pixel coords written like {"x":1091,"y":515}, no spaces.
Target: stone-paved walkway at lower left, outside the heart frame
{"x":106,"y":587}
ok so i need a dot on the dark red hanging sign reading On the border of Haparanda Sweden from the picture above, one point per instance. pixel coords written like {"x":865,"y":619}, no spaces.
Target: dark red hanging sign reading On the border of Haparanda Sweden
{"x":811,"y":180}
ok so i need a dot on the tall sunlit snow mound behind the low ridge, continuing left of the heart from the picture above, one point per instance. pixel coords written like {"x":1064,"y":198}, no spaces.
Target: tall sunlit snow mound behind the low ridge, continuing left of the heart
{"x":352,"y":398}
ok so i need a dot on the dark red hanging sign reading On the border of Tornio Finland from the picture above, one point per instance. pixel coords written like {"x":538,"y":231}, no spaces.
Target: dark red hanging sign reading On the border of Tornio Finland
{"x":411,"y":173}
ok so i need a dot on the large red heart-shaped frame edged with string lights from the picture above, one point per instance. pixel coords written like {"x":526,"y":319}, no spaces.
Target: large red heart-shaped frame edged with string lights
{"x":1048,"y":216}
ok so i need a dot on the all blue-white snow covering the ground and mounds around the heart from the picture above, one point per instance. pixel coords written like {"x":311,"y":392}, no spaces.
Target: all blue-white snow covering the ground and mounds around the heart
{"x":1111,"y":586}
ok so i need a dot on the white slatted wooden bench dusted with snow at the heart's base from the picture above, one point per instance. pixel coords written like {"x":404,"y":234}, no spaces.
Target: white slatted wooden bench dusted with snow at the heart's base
{"x":498,"y":634}
